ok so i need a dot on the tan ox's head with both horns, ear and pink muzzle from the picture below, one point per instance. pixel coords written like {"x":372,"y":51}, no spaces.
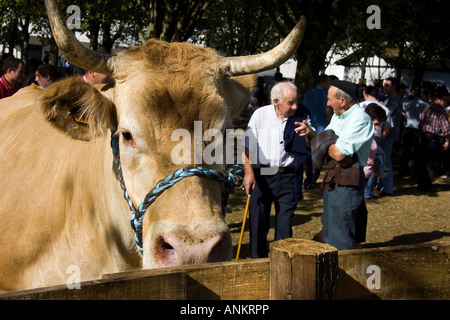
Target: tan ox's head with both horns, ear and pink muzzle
{"x":158,"y":88}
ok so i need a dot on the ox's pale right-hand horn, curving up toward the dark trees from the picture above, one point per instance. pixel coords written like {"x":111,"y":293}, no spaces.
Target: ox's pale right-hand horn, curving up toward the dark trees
{"x":236,"y":66}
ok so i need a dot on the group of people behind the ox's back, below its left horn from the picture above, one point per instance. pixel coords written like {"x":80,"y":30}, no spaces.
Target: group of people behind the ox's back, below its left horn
{"x":15,"y":75}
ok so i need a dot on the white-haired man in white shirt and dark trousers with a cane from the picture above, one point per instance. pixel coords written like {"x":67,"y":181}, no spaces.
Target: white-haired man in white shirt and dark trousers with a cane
{"x":270,"y":171}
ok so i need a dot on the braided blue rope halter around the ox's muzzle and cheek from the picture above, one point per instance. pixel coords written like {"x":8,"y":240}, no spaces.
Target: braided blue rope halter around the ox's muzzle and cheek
{"x":232,"y":178}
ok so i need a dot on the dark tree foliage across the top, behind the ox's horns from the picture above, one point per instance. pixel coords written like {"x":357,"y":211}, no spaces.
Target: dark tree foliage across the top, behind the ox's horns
{"x":416,"y":31}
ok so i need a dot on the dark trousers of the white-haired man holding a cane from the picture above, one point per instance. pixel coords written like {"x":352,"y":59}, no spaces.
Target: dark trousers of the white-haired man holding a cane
{"x":277,"y":189}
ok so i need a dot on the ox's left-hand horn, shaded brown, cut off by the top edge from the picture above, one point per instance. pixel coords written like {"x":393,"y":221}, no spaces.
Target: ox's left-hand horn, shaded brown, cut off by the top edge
{"x":70,"y":47}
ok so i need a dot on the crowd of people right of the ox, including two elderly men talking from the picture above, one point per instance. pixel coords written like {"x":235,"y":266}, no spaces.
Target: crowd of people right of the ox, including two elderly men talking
{"x":349,"y":134}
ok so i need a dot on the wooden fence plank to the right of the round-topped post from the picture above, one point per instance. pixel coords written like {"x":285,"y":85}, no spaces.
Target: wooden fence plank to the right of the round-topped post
{"x":402,"y":272}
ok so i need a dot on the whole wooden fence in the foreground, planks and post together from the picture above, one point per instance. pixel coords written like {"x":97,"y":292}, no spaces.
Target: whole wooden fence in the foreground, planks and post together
{"x":296,"y":269}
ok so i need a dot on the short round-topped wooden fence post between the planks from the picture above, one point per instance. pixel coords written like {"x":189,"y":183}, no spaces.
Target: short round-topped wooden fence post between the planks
{"x":303,"y":270}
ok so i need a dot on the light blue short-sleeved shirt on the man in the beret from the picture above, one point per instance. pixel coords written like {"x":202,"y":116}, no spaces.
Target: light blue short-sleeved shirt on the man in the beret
{"x":355,"y":131}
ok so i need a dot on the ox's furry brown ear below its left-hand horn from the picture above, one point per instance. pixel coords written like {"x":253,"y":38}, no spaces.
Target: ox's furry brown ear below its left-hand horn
{"x":78,"y":108}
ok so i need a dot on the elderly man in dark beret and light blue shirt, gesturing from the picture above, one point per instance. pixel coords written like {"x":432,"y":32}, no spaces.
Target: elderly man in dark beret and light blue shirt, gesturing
{"x":355,"y":130}
